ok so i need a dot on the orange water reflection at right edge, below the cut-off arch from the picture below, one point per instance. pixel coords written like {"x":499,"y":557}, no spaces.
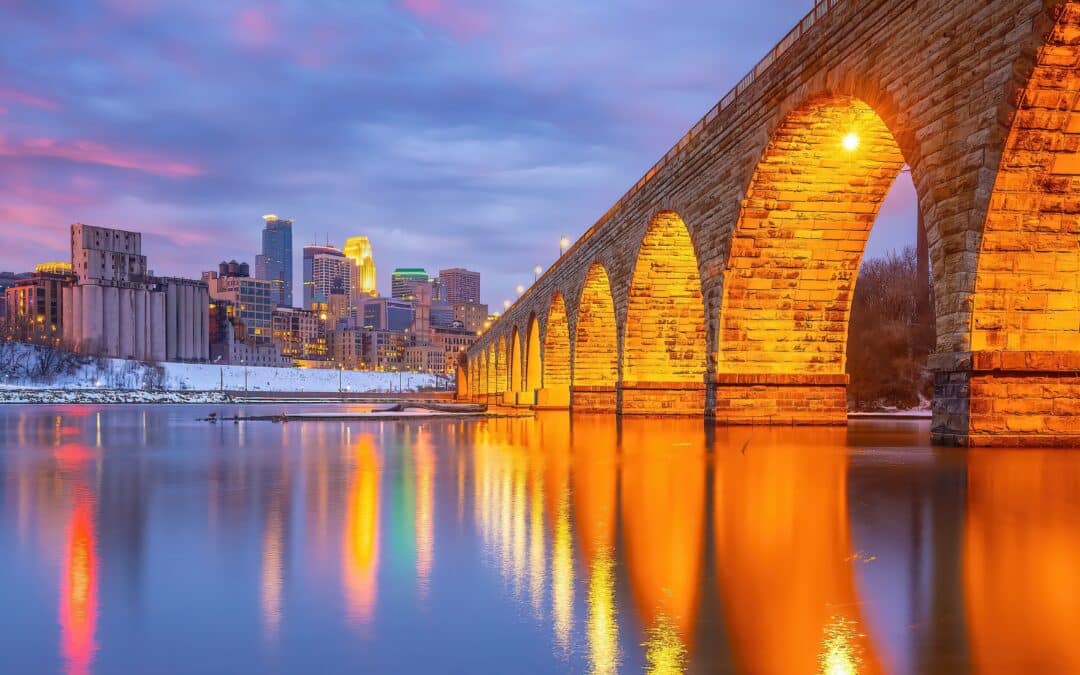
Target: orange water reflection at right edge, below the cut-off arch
{"x":1021,"y":557}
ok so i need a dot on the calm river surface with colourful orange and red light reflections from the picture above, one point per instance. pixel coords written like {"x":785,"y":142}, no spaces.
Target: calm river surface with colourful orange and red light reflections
{"x":138,"y":541}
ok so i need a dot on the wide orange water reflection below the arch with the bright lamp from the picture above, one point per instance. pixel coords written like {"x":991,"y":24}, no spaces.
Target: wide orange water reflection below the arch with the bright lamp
{"x":785,"y":557}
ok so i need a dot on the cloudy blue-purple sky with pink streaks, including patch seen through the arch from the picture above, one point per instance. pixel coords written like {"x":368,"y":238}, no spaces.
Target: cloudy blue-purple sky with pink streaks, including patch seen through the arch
{"x":453,"y":133}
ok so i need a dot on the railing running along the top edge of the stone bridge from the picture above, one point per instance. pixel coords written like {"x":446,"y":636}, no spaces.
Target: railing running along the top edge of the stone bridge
{"x":820,"y":10}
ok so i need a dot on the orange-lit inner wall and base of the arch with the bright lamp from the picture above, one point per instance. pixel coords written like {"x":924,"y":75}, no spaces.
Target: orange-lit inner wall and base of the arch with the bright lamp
{"x":794,"y":261}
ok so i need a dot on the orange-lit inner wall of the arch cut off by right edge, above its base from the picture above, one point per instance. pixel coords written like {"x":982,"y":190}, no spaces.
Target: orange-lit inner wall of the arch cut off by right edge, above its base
{"x":1028,"y":286}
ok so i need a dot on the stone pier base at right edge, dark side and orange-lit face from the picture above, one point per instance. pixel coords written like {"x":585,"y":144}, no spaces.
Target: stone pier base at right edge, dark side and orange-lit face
{"x":1007,"y":399}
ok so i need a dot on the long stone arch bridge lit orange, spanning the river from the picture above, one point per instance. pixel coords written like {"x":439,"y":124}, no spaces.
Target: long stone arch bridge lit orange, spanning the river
{"x":721,"y":285}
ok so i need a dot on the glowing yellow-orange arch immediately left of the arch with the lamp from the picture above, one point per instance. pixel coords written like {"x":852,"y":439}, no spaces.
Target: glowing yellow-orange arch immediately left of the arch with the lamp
{"x":665,"y":346}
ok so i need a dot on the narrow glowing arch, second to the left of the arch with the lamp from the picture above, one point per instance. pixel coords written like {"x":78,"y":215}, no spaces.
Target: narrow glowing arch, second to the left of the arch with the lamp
{"x":596,"y":345}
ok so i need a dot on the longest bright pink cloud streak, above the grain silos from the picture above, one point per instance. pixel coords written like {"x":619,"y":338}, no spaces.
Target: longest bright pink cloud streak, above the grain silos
{"x":90,"y":153}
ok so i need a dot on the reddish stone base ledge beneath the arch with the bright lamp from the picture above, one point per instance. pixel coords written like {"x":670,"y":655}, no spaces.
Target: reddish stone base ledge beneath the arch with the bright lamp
{"x":780,"y":399}
